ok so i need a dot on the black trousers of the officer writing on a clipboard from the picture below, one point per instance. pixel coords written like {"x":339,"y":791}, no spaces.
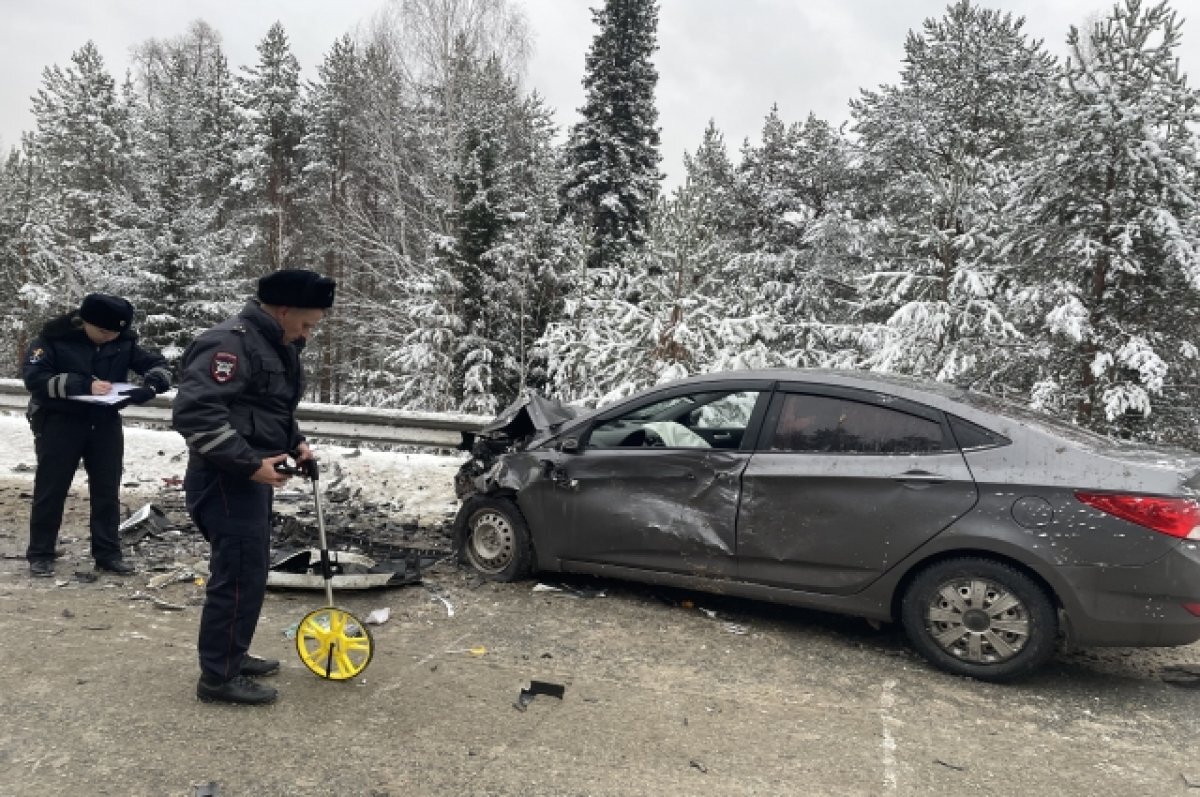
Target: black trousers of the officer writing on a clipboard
{"x":61,"y":441}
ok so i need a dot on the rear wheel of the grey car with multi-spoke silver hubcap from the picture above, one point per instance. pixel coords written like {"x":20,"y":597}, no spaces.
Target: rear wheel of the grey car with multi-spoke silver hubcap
{"x":1012,"y":632}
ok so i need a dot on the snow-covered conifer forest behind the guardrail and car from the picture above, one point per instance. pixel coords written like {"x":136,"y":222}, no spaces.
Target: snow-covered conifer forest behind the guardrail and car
{"x":995,"y":217}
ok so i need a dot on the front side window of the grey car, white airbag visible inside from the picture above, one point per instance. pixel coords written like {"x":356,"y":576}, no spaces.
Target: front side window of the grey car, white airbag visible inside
{"x":698,"y":421}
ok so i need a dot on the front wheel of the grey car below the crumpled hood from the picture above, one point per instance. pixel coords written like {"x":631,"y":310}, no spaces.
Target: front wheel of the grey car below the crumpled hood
{"x":494,"y":538}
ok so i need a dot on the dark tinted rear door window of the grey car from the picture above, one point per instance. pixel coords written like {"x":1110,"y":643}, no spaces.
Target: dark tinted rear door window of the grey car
{"x":829,"y":424}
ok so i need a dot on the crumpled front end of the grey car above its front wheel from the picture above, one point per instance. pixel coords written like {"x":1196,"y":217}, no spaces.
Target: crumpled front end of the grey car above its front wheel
{"x":527,"y":422}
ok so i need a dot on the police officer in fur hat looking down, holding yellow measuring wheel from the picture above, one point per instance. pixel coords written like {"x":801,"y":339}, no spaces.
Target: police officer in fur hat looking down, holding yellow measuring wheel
{"x":241,"y":383}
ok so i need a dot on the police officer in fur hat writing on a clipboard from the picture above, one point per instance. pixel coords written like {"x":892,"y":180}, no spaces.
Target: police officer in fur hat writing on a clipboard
{"x":82,"y":355}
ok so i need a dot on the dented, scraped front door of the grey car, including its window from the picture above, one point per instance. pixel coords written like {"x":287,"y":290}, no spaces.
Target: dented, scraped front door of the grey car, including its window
{"x":645,"y":489}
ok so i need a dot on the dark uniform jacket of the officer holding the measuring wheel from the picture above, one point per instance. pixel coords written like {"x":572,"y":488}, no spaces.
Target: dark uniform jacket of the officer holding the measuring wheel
{"x":238,"y":394}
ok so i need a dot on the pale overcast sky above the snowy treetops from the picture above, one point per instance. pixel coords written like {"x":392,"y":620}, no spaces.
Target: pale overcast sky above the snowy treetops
{"x":722,"y":59}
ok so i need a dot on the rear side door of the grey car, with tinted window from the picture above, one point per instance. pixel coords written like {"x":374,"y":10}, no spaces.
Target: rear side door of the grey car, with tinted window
{"x":845,"y":484}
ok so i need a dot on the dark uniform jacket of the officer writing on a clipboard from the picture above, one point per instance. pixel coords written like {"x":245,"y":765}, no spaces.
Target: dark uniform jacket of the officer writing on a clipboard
{"x":63,"y":362}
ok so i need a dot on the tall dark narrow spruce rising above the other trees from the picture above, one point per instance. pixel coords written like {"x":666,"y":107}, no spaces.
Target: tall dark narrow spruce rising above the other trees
{"x":614,"y":152}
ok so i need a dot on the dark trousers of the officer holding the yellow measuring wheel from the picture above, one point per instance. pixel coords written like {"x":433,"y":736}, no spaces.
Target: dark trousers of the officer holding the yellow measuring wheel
{"x":235,"y":516}
